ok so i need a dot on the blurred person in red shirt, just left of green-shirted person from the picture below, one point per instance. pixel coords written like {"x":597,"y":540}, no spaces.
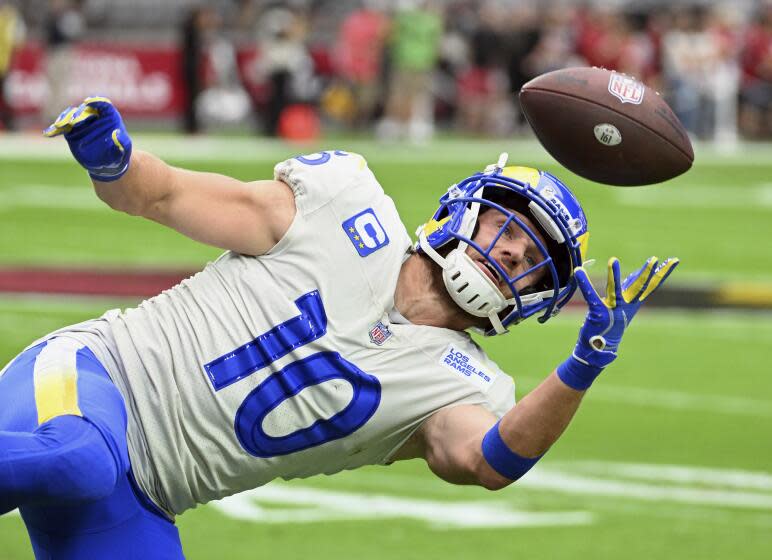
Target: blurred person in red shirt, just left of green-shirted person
{"x":358,"y":57}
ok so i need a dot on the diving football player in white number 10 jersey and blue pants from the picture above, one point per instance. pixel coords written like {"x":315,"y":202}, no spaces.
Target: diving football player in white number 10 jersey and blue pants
{"x":323,"y":339}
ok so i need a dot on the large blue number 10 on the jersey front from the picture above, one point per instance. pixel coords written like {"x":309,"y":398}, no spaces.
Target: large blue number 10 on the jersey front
{"x":317,"y":368}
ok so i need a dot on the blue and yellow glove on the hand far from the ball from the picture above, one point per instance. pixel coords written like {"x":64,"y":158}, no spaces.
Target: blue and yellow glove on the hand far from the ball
{"x":97,"y":137}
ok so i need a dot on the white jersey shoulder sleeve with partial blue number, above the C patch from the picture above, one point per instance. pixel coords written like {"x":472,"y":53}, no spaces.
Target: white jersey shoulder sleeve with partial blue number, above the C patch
{"x":319,"y":178}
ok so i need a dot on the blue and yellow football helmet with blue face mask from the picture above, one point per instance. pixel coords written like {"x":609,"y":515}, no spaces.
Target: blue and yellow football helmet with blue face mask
{"x":547,"y":203}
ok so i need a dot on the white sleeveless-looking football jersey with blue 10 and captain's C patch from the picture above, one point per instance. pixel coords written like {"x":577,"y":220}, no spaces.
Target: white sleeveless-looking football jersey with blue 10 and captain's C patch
{"x":287,"y":365}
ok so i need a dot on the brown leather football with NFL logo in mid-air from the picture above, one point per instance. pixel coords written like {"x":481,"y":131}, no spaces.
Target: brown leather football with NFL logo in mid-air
{"x":606,"y":126}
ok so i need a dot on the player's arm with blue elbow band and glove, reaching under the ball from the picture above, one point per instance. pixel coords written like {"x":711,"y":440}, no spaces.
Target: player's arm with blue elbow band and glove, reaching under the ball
{"x":465,"y":444}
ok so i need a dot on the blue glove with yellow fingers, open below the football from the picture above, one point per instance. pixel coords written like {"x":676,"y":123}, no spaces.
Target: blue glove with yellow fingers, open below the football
{"x":608,"y":317}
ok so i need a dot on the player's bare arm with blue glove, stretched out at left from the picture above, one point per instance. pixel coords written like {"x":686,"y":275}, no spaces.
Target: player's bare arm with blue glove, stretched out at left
{"x":214,"y":209}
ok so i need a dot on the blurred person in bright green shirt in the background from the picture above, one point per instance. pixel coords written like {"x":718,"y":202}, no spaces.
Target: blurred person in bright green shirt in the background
{"x":414,"y":47}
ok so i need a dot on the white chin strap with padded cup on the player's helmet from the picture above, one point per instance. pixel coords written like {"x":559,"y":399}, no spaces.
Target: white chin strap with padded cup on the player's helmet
{"x":468,"y":285}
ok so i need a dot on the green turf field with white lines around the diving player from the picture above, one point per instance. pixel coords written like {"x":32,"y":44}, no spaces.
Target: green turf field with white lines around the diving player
{"x":669,"y":456}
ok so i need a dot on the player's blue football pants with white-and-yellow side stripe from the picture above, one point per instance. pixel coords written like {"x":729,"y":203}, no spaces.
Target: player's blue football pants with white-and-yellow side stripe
{"x":64,"y":461}
